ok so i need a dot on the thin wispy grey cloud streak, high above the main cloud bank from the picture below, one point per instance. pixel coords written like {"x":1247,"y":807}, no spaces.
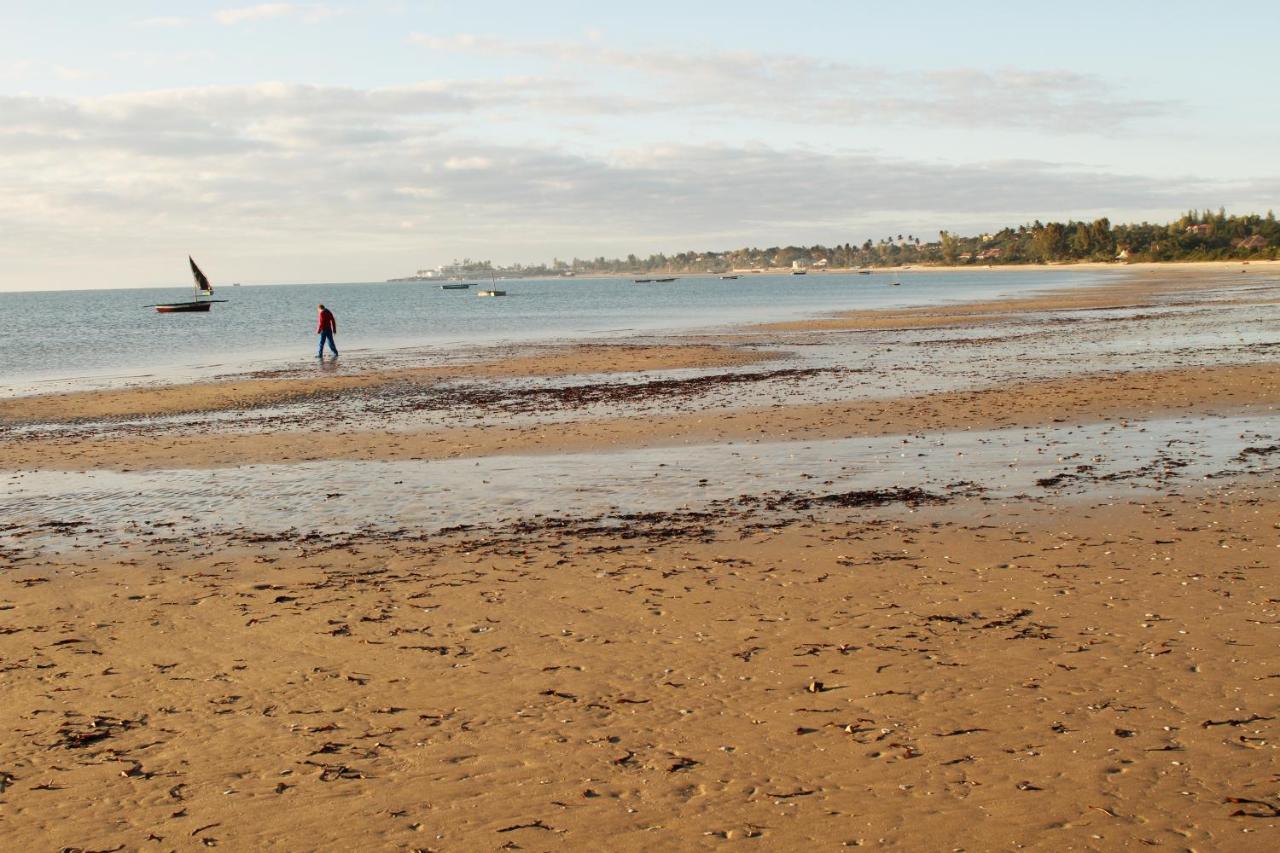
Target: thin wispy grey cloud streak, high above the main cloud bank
{"x":792,"y":88}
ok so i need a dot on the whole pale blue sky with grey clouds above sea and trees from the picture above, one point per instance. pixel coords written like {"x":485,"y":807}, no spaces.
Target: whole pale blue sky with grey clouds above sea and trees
{"x":360,"y":142}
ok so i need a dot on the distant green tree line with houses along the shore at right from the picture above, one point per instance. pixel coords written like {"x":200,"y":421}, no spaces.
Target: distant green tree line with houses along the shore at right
{"x":1195,"y":236}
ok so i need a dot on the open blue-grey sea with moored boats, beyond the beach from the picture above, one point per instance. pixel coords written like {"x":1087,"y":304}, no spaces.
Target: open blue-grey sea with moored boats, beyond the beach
{"x":92,"y":339}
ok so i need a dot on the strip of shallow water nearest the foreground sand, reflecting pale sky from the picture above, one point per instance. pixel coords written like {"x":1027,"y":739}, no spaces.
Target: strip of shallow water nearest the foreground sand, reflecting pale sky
{"x":424,"y":498}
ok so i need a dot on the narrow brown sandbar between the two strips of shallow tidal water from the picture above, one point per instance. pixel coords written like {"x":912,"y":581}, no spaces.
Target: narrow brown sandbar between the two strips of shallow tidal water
{"x":1244,"y":390}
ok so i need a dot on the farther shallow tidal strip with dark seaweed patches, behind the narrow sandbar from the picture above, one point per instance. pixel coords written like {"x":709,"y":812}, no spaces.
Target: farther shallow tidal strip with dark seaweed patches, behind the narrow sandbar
{"x":866,"y":366}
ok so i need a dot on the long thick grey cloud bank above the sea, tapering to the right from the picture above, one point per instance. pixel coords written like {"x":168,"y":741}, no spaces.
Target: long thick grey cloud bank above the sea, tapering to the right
{"x":360,"y":159}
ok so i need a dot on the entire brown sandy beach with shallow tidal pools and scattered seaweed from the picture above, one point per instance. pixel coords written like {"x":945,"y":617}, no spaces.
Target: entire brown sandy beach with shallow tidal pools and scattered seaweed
{"x":979,"y":577}
